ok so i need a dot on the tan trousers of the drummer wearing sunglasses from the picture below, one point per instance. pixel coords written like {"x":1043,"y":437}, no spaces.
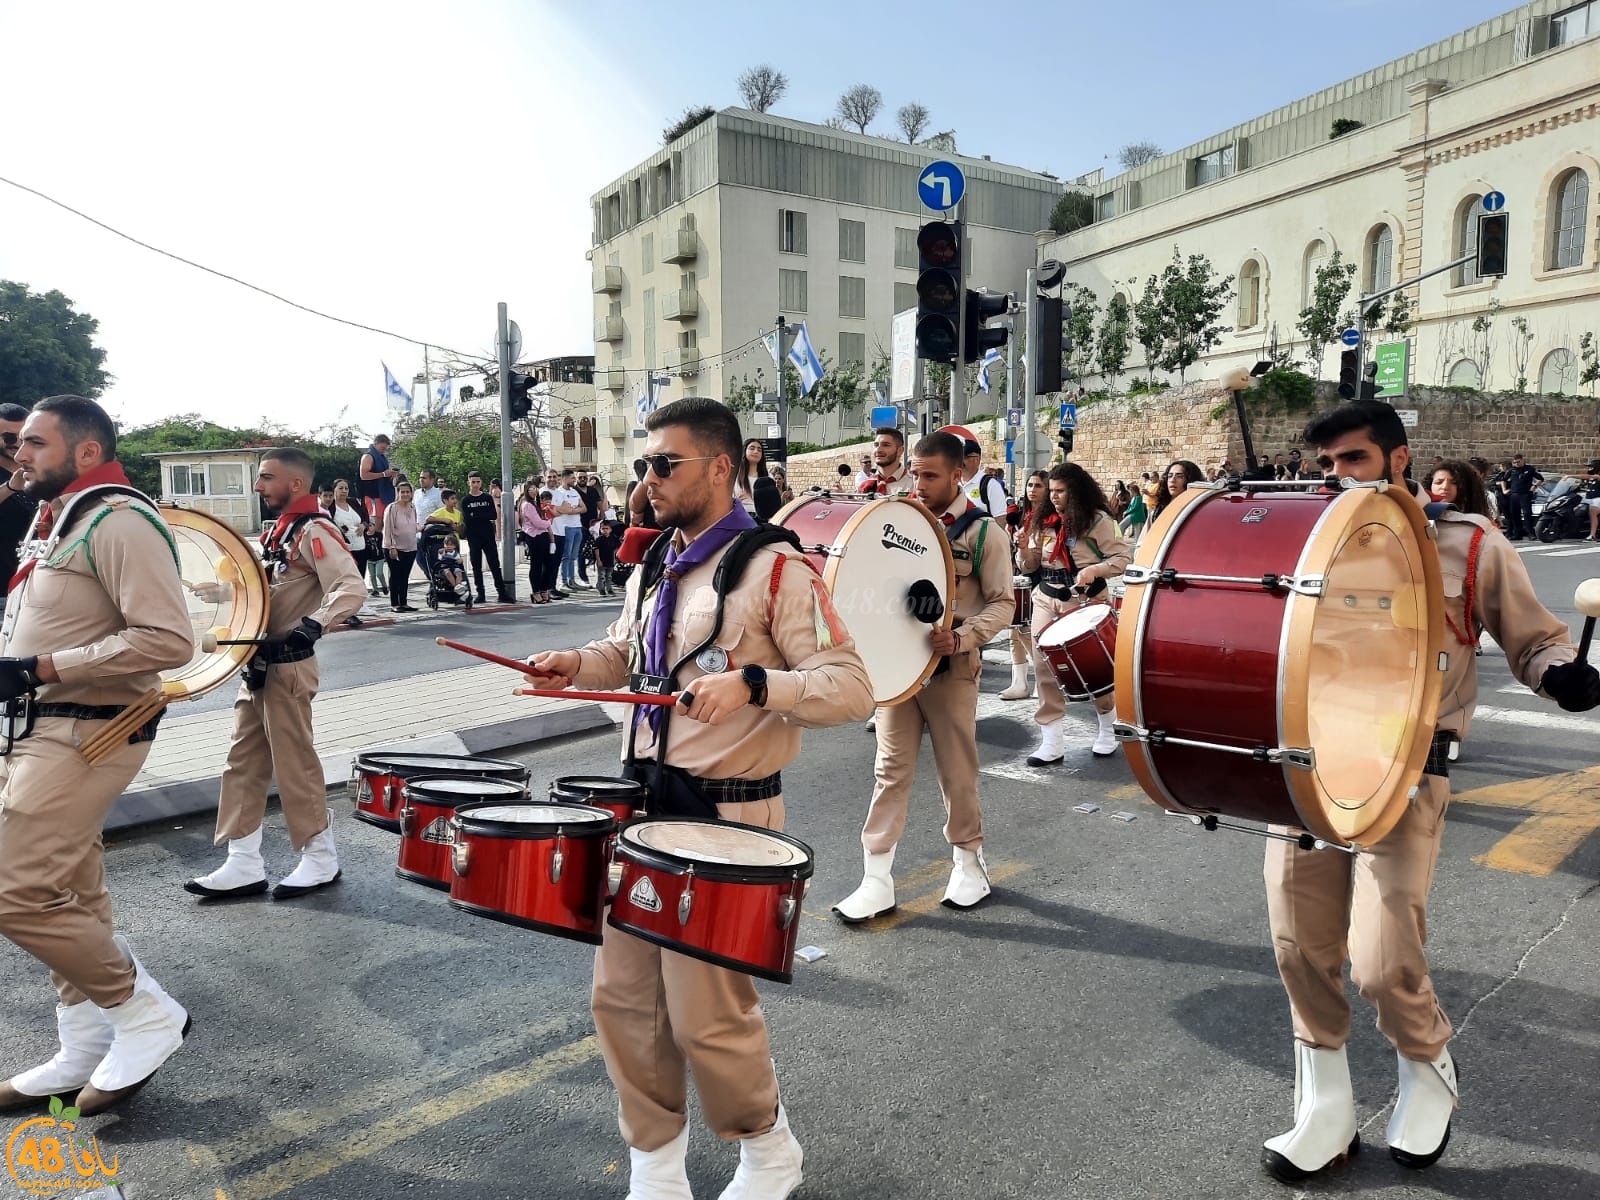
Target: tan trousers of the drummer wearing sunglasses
{"x":663,"y":1015}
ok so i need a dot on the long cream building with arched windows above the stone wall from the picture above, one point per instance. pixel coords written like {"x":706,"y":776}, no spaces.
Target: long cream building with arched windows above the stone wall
{"x":1391,"y":169}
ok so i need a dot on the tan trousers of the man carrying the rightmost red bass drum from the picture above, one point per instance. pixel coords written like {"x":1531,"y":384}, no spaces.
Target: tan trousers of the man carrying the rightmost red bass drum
{"x":1326,"y":906}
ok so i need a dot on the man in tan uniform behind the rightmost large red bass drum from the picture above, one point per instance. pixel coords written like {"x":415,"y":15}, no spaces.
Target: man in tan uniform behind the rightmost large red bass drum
{"x":1372,"y":908}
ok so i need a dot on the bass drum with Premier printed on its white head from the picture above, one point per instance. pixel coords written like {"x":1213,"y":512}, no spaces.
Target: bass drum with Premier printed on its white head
{"x":889,"y":569}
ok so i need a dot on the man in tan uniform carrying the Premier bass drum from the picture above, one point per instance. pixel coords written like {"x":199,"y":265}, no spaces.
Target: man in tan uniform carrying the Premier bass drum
{"x":948,"y":706}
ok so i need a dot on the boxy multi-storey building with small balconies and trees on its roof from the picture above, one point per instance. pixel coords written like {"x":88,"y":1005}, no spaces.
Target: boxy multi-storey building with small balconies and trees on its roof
{"x":746,"y":217}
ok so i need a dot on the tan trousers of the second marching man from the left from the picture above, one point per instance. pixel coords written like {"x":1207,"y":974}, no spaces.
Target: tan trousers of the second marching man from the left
{"x":273,"y":737}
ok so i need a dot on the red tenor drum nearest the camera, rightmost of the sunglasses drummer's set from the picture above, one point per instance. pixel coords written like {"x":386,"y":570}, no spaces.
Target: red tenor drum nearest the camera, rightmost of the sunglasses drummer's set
{"x":714,"y":890}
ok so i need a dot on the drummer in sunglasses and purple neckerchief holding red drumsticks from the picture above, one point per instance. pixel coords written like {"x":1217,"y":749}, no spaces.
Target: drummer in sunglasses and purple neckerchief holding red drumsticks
{"x":783,"y":662}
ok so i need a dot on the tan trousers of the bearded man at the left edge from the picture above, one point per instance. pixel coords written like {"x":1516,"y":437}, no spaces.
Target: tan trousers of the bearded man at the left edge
{"x":54,"y":900}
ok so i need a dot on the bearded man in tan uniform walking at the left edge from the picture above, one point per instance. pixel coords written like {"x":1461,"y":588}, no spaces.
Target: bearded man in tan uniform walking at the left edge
{"x":92,"y":623}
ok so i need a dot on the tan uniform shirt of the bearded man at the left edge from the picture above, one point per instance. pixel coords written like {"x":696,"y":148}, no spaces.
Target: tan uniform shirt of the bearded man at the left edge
{"x":106,"y":604}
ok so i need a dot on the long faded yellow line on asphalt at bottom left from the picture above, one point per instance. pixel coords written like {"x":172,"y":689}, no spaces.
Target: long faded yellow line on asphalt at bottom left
{"x":391,"y":1132}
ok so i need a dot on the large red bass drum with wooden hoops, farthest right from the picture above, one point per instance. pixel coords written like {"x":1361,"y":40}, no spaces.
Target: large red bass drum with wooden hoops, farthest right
{"x":1279,"y":658}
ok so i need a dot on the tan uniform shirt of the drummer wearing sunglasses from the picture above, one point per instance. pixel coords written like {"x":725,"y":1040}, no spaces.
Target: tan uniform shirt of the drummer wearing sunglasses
{"x":815,"y":678}
